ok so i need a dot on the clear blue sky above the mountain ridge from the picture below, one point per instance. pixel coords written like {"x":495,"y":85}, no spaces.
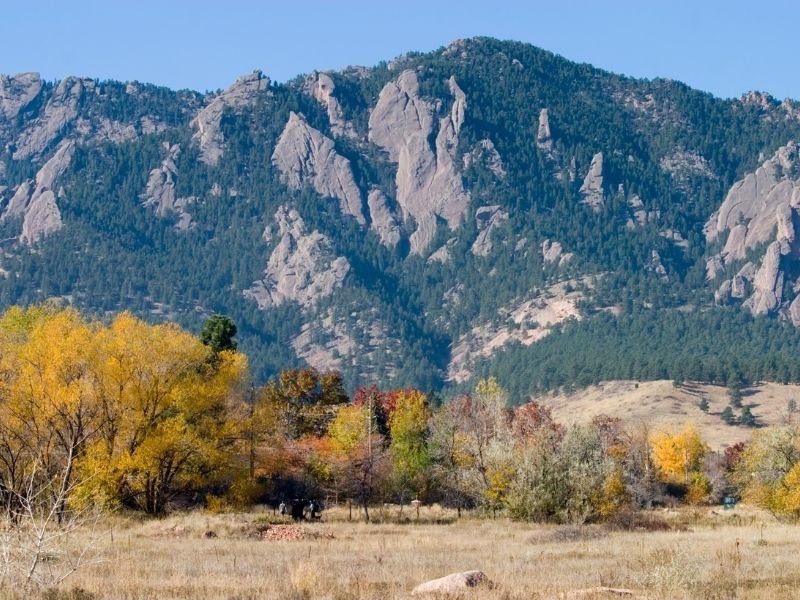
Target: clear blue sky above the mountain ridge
{"x":725,"y":47}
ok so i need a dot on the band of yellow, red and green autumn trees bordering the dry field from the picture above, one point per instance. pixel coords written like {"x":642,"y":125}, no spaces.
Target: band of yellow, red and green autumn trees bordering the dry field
{"x":128,"y":414}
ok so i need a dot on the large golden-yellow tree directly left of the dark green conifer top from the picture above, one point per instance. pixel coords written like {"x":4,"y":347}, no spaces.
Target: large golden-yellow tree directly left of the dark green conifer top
{"x":165,"y":402}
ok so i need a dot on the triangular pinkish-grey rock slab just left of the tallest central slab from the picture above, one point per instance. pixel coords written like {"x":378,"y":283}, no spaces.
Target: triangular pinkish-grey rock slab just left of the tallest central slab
{"x":305,"y":156}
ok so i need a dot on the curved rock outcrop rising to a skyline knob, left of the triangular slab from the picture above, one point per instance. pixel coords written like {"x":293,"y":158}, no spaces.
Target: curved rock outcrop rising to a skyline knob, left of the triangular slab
{"x":208,"y":134}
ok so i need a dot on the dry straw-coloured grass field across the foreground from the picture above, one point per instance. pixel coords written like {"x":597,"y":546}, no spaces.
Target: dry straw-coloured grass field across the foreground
{"x":704,"y":554}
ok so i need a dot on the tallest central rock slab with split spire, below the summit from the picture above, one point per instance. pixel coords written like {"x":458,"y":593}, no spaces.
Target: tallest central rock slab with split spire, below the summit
{"x":428,"y":186}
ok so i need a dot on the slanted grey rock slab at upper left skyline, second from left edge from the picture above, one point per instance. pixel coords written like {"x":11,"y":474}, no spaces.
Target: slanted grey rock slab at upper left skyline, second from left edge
{"x":61,"y":109}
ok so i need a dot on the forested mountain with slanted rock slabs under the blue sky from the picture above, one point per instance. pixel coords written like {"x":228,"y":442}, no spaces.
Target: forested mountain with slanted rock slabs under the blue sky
{"x":487,"y":208}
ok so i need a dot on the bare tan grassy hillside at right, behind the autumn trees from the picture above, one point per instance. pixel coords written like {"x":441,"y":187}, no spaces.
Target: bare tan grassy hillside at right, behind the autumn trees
{"x":661,"y":405}
